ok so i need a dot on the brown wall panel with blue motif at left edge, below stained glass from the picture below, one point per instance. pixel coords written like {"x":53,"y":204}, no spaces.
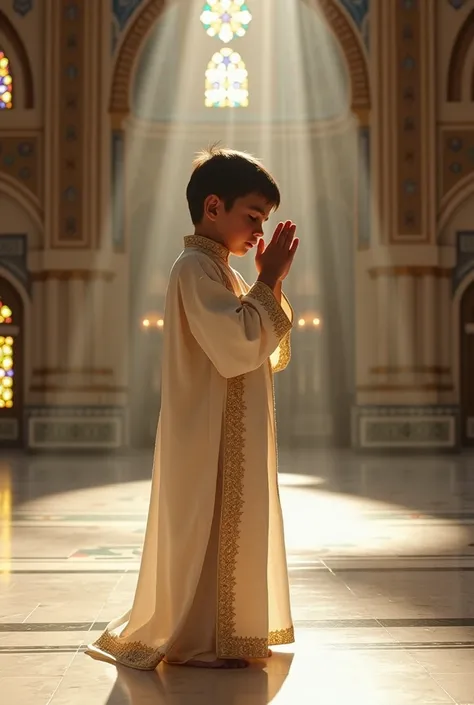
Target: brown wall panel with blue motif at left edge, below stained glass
{"x":19,"y":158}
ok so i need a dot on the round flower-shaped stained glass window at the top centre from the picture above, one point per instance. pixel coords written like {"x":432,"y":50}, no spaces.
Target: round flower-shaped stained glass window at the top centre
{"x":226,"y":19}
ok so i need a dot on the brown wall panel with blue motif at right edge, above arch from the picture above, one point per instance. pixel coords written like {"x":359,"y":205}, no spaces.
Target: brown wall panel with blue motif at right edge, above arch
{"x":458,"y":157}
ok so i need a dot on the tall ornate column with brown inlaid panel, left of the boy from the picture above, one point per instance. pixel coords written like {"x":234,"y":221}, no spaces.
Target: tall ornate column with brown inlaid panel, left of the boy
{"x":75,"y":404}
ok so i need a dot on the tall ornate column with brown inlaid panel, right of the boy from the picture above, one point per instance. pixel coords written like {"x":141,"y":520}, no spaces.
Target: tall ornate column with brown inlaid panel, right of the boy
{"x":399,"y":403}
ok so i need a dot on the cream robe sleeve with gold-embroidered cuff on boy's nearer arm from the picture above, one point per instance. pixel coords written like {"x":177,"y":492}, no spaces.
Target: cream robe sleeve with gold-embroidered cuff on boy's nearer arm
{"x":237,"y":334}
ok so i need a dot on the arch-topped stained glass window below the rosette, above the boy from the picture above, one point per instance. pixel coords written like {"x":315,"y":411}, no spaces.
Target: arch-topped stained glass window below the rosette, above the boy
{"x":226,"y":81}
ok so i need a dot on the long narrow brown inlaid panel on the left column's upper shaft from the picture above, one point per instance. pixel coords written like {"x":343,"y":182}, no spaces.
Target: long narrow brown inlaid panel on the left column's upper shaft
{"x":73,"y":101}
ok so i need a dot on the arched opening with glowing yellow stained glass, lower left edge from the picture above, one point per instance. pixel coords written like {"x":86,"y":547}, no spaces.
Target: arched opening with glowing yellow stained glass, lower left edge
{"x":11,"y":366}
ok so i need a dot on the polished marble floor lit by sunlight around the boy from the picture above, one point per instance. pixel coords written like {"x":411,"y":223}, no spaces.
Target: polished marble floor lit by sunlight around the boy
{"x":381,"y":559}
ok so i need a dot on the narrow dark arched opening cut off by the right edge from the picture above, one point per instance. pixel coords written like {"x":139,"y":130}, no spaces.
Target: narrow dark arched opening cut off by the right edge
{"x":467,"y":367}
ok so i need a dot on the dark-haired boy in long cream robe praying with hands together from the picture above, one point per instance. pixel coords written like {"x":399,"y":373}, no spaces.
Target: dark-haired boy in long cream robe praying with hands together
{"x":213,"y":584}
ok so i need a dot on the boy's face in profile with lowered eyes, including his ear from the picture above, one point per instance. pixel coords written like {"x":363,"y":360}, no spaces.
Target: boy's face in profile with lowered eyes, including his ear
{"x":242,"y":227}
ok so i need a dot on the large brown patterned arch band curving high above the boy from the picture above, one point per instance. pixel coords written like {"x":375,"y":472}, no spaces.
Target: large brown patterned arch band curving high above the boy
{"x":337,"y":19}
